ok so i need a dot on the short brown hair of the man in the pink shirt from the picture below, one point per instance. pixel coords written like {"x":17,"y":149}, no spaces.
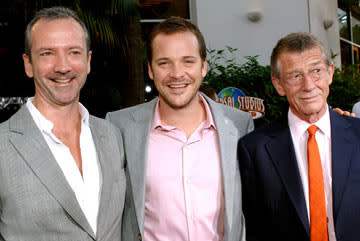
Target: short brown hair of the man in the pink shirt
{"x":176,"y":25}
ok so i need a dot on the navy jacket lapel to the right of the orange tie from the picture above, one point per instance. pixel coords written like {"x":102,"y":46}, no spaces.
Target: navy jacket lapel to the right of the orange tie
{"x":342,"y":145}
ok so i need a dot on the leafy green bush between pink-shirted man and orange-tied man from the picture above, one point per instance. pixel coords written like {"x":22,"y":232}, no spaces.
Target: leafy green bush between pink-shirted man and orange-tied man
{"x":251,"y":77}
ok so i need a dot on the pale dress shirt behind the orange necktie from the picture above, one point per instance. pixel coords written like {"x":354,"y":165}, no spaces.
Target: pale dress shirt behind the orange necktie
{"x":299,"y":134}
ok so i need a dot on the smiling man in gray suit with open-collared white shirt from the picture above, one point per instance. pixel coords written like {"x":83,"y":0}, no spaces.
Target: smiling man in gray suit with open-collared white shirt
{"x":61,"y":170}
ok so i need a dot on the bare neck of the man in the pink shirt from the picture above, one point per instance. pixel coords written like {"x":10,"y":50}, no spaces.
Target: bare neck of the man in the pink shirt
{"x":186,"y":118}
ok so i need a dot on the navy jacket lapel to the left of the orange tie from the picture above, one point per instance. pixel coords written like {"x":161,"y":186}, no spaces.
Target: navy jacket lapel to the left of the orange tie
{"x":281,"y":151}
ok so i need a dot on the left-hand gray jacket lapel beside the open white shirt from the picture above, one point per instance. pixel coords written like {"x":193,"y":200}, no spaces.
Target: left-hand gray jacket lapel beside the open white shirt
{"x":29,"y":142}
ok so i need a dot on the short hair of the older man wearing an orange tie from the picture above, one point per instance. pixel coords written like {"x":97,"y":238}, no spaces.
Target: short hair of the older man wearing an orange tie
{"x":296,"y":42}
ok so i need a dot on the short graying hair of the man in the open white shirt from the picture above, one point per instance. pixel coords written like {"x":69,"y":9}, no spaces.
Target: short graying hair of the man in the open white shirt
{"x":52,"y":14}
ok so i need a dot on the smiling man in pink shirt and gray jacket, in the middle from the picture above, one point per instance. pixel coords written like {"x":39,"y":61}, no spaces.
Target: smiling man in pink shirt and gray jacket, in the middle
{"x":184,"y":180}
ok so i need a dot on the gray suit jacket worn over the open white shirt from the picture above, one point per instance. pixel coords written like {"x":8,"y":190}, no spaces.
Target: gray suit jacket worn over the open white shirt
{"x":36,"y":201}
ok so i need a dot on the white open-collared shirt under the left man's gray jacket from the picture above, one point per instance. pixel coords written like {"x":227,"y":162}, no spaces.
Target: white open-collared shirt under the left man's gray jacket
{"x":86,"y":187}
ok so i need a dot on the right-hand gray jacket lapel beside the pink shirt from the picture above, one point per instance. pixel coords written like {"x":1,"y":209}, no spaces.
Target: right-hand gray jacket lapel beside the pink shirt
{"x":228,"y":137}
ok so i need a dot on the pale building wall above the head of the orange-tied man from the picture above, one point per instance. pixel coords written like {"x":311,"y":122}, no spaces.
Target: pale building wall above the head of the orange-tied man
{"x":224,"y":22}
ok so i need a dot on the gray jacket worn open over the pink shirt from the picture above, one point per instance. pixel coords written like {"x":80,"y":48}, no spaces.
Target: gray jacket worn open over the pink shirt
{"x":134,"y":124}
